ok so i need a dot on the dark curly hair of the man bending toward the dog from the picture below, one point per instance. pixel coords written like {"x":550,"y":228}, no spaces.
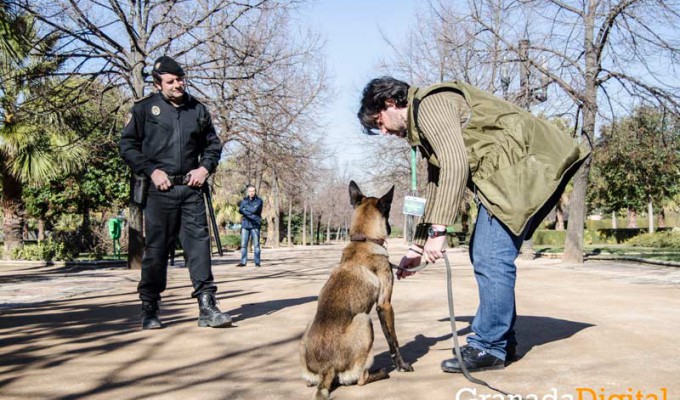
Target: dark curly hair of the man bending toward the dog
{"x":374,"y":96}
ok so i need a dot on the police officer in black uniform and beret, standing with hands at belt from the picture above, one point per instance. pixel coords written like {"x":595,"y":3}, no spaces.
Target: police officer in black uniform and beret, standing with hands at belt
{"x":169,"y":138}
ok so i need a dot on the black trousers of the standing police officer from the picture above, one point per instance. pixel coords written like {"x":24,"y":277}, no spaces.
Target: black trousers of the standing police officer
{"x":178,"y":211}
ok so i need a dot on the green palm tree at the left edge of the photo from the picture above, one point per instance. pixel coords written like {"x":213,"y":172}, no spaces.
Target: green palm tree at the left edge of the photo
{"x":35,"y":143}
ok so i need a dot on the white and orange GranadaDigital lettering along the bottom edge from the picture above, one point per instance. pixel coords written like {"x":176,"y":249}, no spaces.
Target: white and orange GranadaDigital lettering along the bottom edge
{"x":580,"y":393}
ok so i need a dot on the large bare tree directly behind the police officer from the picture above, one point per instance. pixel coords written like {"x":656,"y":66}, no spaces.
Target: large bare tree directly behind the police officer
{"x":114,"y":41}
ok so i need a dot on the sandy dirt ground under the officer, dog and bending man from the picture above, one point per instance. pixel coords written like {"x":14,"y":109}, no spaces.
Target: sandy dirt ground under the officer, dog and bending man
{"x":598,"y":331}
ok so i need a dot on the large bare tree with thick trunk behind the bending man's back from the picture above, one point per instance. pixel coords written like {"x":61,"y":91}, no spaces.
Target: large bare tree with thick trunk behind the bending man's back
{"x":599,"y":57}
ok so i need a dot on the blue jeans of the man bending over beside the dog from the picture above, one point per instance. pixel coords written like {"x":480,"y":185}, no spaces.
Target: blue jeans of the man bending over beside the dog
{"x":493,"y":250}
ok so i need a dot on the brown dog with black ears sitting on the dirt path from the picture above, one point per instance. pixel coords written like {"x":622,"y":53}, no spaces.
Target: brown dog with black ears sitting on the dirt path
{"x":339,"y":341}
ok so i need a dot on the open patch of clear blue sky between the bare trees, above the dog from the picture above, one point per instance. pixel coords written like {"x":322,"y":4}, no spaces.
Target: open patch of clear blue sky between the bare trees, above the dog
{"x":353,"y":31}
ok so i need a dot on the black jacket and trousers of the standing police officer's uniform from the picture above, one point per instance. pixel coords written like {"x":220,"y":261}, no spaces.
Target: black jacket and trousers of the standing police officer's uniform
{"x":176,"y":140}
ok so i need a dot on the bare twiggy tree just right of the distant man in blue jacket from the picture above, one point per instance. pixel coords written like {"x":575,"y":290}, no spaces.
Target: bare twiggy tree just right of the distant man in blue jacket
{"x":270,"y":125}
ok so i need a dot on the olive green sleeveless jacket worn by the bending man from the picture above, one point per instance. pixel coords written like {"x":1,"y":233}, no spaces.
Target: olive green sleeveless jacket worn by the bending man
{"x":519,"y":164}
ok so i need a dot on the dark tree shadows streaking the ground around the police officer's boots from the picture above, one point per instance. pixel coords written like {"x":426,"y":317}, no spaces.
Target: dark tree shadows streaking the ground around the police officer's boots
{"x":44,"y":337}
